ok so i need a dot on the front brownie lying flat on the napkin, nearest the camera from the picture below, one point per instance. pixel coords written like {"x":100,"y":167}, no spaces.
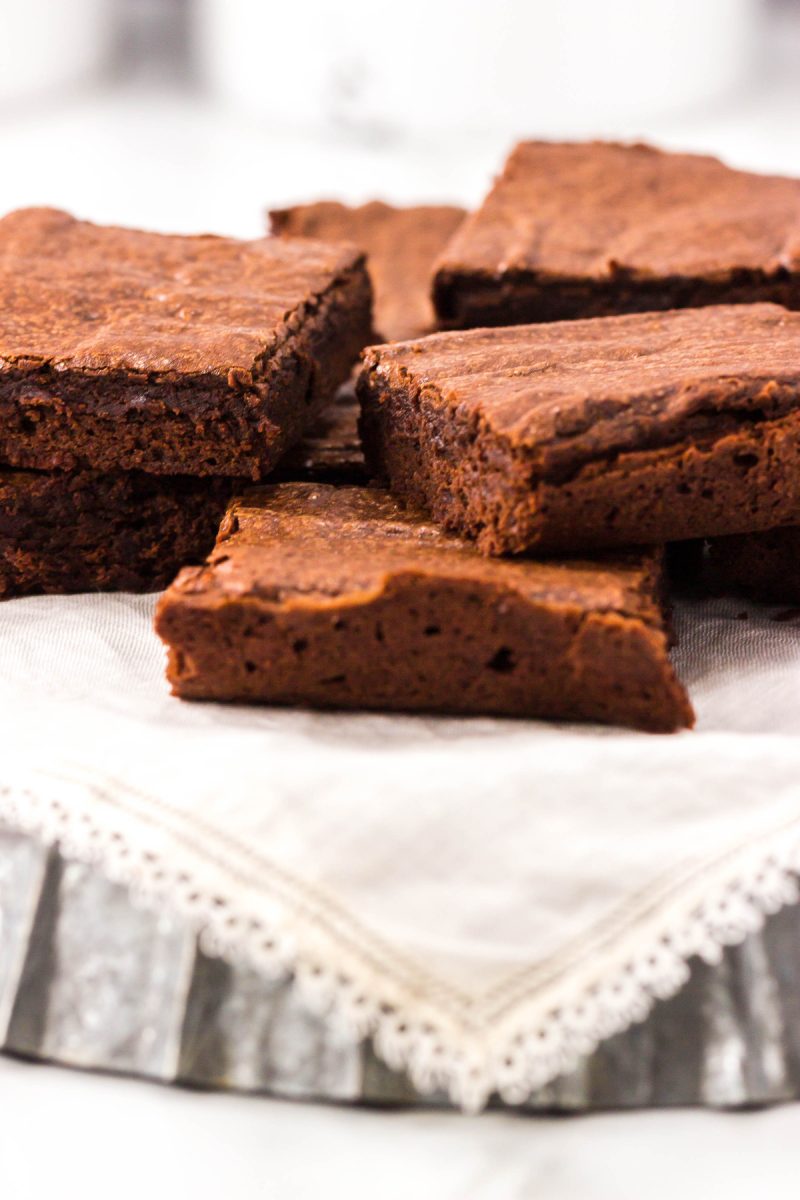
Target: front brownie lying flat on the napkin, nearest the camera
{"x":339,"y":598}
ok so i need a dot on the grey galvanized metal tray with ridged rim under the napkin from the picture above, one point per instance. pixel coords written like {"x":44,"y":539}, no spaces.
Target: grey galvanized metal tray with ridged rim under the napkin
{"x":89,"y":980}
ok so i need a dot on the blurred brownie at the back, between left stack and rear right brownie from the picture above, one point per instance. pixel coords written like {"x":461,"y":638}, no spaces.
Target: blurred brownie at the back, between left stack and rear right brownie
{"x":402,"y":245}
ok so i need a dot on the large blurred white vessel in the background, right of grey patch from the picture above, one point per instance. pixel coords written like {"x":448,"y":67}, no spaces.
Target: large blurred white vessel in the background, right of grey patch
{"x":435,"y":67}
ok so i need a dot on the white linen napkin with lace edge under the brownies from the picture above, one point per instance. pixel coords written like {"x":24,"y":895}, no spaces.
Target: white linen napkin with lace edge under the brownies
{"x":488,"y":898}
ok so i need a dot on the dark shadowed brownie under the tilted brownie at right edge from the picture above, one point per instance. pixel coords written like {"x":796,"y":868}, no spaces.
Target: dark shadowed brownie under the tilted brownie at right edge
{"x":760,"y":566}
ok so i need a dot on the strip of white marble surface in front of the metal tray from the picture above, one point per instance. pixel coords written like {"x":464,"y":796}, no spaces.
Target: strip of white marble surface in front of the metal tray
{"x":70,"y":1135}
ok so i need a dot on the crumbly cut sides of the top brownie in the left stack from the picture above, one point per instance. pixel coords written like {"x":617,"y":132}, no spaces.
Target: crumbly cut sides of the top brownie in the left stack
{"x":64,"y":421}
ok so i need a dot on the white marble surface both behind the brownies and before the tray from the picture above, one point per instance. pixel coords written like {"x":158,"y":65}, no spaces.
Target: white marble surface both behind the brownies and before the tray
{"x":164,"y":160}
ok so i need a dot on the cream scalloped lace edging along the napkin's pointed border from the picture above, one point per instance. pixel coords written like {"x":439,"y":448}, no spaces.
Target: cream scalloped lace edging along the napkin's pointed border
{"x":530,"y":1051}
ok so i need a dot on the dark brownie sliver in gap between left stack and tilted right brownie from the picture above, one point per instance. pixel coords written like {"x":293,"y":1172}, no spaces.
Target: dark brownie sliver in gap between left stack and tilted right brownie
{"x":332,"y":451}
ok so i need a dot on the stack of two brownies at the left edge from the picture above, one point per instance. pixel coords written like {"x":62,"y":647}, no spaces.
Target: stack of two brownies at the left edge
{"x":142,"y":377}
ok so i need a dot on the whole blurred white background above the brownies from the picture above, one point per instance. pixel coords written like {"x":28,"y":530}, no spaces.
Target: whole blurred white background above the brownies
{"x":197,"y":115}
